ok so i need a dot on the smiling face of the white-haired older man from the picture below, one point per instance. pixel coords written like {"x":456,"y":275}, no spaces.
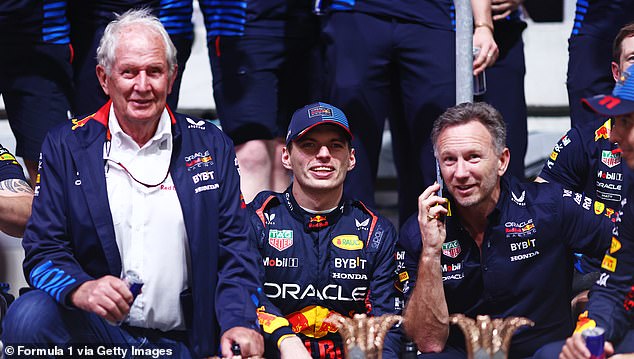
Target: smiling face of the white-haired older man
{"x":139,"y":81}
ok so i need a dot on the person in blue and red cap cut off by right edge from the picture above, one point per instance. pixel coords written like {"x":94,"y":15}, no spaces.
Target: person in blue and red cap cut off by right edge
{"x":611,"y":304}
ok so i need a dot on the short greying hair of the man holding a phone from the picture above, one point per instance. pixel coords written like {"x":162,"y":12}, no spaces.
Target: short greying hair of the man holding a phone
{"x":467,"y":112}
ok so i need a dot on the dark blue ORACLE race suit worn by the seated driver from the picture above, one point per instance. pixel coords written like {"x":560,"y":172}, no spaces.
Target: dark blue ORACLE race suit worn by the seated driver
{"x":316,"y":265}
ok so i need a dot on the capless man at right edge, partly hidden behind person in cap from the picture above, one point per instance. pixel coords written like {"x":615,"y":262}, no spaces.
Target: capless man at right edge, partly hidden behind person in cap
{"x":584,"y":160}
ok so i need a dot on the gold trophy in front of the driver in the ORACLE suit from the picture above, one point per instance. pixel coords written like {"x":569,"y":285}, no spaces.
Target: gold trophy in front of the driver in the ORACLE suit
{"x":363,"y":336}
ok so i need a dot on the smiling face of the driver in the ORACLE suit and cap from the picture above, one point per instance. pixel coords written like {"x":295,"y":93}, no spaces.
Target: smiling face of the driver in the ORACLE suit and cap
{"x":319,"y":161}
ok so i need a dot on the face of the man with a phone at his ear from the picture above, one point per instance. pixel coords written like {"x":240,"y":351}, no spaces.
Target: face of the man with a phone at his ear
{"x":470,"y":165}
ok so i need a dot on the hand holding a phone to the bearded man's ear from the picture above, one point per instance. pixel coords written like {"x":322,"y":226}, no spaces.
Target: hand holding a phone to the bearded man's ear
{"x":431,"y":214}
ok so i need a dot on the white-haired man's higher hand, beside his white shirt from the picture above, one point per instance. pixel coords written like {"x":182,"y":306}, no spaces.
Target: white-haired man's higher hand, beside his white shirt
{"x":108,"y":297}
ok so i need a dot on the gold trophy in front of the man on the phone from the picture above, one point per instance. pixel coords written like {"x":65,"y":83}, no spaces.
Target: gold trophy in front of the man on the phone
{"x":486,"y":338}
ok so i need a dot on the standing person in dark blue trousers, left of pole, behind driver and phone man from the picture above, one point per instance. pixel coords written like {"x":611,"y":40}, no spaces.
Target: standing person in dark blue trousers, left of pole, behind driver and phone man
{"x":396,"y":60}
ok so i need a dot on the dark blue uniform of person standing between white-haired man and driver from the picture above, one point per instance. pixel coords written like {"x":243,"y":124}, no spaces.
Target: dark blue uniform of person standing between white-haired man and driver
{"x":264,"y":63}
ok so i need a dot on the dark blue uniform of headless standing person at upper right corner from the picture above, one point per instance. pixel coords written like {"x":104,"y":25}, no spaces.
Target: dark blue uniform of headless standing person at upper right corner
{"x":590,"y":51}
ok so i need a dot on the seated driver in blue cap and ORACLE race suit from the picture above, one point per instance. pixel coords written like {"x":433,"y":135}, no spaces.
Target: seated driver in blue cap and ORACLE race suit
{"x":322,"y":253}
